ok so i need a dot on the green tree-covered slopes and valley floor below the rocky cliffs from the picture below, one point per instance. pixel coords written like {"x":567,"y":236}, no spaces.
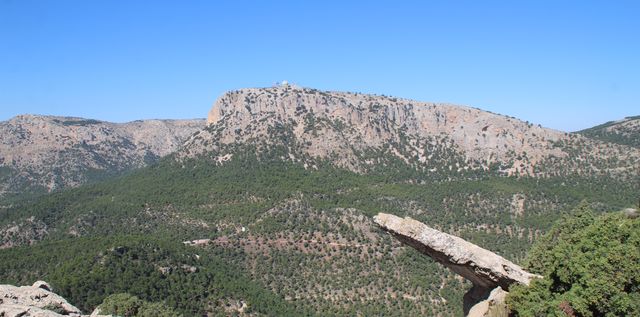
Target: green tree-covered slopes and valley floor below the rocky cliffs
{"x":284,"y":239}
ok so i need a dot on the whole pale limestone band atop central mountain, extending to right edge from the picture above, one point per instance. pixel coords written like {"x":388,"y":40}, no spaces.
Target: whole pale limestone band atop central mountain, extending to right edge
{"x":342,"y":126}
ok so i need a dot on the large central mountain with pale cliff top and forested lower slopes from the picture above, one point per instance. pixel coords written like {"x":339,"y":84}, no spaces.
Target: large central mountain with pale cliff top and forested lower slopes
{"x":271,"y":205}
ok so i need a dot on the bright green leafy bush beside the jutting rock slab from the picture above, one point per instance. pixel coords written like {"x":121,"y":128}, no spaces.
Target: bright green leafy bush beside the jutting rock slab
{"x":590,"y":268}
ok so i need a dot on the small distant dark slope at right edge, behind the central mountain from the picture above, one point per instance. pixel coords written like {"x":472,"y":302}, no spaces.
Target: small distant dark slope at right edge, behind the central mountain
{"x":625,"y":131}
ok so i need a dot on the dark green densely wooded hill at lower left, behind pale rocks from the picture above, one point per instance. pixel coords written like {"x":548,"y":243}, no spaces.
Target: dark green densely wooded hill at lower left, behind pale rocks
{"x":86,"y":270}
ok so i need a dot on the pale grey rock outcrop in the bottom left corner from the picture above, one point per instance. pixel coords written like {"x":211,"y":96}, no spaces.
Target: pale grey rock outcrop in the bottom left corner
{"x":37,"y":300}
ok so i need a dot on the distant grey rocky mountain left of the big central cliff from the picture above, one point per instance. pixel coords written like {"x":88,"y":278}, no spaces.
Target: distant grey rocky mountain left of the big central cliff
{"x":45,"y":153}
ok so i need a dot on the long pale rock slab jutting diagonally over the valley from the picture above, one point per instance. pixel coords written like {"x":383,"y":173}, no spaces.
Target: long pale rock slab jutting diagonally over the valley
{"x":489,"y":273}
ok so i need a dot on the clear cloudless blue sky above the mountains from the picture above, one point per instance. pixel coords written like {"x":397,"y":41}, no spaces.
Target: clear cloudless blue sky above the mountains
{"x":566,"y":65}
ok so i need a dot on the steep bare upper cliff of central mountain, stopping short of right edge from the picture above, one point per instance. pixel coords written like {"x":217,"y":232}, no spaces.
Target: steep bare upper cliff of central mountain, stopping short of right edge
{"x":379,"y":120}
